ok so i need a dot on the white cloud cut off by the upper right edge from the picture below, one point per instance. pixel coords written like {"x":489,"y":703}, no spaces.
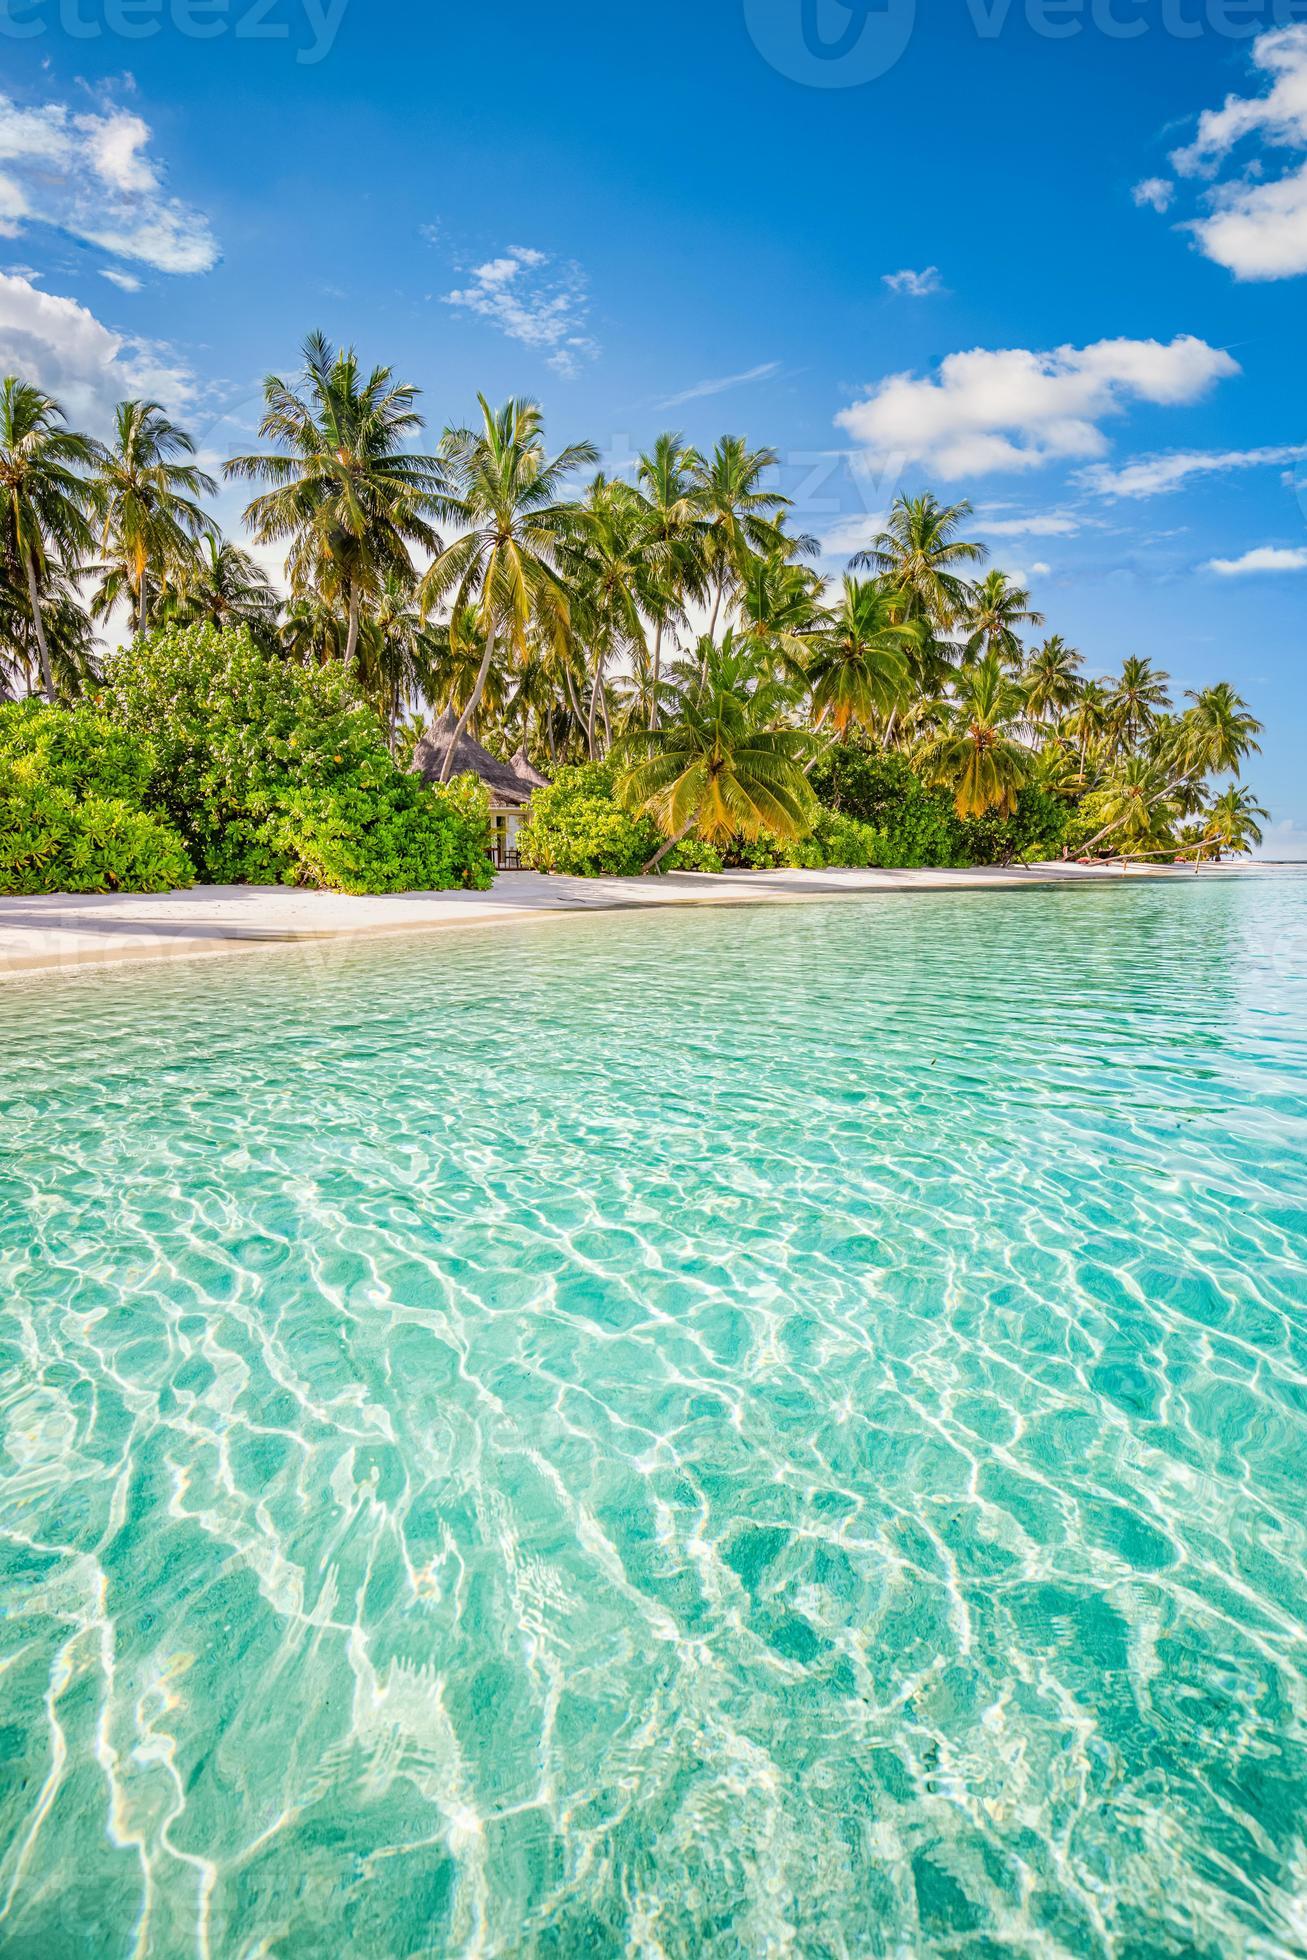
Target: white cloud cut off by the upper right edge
{"x":1257,"y":226}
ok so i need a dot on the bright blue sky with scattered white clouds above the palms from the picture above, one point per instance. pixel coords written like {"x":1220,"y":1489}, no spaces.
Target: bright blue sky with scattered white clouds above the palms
{"x":693,"y":219}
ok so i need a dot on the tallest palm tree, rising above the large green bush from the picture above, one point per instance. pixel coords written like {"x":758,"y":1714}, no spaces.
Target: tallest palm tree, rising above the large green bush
{"x":348,"y":497}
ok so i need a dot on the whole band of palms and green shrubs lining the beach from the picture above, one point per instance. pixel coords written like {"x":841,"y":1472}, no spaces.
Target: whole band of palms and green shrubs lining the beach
{"x":663,"y":646}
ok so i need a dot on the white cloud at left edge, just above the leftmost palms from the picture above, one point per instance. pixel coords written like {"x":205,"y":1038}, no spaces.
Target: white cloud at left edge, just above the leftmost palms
{"x":83,"y":364}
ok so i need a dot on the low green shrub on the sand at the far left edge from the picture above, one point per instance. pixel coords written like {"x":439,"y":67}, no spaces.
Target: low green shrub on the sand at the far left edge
{"x":56,"y":842}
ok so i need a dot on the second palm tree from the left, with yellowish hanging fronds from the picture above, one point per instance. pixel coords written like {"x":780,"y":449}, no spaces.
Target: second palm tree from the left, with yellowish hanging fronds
{"x":146,"y":509}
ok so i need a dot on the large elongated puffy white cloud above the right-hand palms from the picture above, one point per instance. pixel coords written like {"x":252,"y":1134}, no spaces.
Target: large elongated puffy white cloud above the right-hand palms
{"x":1016,"y":409}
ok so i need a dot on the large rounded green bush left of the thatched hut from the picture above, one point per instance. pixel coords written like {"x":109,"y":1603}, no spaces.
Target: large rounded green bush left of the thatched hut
{"x":277,"y":773}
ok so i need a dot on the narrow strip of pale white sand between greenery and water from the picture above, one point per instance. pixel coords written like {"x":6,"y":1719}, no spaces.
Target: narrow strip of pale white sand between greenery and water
{"x":73,"y":932}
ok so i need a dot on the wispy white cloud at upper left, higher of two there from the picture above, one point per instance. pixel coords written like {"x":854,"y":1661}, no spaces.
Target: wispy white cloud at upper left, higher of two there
{"x":89,"y":175}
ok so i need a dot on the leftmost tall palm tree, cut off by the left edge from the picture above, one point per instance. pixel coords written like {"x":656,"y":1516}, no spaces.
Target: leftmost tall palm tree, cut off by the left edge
{"x":46,"y":499}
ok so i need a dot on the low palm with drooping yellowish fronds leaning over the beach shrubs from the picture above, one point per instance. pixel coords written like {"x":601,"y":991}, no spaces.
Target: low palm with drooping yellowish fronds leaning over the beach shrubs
{"x":726,"y":763}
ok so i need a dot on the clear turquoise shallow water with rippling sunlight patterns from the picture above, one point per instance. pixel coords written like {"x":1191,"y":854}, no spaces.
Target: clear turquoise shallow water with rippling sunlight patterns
{"x":748,"y":1434}
